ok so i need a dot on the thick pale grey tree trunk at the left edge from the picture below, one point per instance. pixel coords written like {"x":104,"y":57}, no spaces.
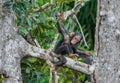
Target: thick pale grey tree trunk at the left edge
{"x":11,"y":50}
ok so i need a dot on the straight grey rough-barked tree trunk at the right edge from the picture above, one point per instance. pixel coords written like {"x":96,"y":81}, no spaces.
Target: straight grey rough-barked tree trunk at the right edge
{"x":107,"y":46}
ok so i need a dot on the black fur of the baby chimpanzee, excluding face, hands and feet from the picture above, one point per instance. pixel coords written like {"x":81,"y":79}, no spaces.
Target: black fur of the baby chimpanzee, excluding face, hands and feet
{"x":65,"y":47}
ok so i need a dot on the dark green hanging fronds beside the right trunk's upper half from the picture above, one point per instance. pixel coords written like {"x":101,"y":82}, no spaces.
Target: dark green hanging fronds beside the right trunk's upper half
{"x":87,"y":18}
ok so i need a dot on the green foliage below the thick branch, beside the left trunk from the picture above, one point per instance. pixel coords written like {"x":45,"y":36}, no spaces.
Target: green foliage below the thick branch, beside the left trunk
{"x":34,"y":71}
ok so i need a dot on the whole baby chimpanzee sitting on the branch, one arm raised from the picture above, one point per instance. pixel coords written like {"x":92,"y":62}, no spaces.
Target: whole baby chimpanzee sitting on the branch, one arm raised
{"x":68,"y":45}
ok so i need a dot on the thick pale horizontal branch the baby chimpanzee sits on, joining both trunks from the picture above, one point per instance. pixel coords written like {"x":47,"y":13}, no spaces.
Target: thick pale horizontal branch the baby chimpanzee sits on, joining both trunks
{"x":41,"y":53}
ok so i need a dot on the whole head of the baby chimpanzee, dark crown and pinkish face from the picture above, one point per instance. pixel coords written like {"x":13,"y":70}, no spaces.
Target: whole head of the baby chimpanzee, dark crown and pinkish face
{"x":76,"y":38}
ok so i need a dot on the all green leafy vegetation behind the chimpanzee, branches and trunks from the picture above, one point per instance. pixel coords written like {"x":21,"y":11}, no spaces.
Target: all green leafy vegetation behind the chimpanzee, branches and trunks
{"x":42,"y":27}
